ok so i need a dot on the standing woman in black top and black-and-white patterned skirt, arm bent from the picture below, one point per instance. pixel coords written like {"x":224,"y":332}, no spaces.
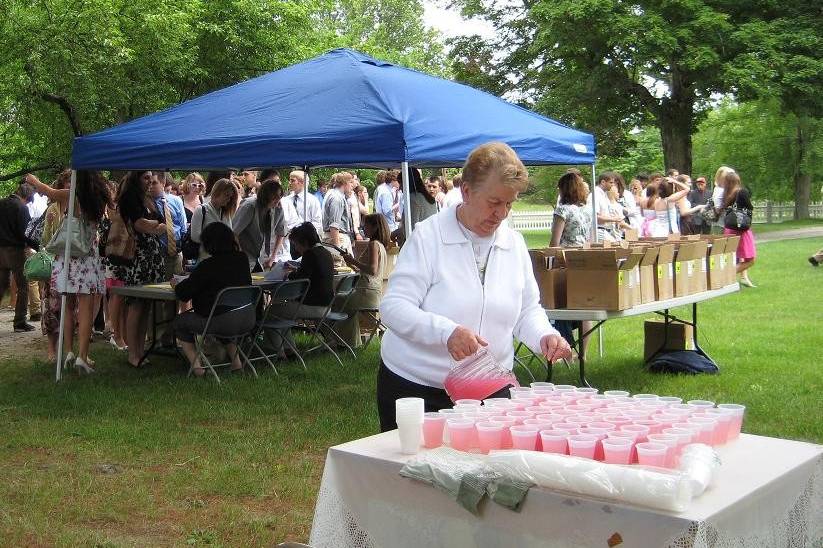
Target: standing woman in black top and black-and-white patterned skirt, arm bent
{"x":147,"y":224}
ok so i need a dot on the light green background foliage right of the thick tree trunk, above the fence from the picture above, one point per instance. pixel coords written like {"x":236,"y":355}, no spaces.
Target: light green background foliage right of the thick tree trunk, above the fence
{"x":758,"y":141}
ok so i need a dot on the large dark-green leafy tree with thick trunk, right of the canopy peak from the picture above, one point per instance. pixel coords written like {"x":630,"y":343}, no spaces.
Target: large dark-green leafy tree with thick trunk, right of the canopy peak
{"x":610,"y":66}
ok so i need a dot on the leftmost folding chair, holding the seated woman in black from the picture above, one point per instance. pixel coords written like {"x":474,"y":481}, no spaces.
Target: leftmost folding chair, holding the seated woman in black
{"x":233,"y":315}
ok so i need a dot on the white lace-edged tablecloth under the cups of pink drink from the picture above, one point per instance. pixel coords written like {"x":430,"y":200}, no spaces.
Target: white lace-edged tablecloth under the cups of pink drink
{"x":769,"y":493}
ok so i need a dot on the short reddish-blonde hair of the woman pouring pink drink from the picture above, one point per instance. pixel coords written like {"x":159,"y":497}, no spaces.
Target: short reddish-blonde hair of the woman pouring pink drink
{"x":495,"y":161}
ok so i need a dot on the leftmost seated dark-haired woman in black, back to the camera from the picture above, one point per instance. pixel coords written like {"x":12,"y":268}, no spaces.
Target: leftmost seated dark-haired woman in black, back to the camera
{"x":226,"y":266}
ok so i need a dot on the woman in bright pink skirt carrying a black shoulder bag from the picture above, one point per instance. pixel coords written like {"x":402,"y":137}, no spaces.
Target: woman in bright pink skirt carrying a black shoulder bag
{"x":737,"y":220}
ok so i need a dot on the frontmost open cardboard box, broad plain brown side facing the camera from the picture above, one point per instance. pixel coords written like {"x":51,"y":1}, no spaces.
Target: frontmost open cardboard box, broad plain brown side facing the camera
{"x":600,"y":279}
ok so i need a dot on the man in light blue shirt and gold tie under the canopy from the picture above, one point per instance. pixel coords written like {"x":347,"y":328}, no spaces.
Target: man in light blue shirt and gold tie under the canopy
{"x":171,"y":207}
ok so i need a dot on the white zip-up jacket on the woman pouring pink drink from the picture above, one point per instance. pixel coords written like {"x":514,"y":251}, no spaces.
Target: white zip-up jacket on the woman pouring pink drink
{"x":435,"y":287}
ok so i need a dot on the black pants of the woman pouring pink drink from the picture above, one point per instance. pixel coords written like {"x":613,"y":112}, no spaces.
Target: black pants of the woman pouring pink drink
{"x":391,"y":387}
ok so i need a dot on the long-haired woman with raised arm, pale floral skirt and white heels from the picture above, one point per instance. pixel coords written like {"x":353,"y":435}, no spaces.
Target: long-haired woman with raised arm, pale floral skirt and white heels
{"x":84,"y":284}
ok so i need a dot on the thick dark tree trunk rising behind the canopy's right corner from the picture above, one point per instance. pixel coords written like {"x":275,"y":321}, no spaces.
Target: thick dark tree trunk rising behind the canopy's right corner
{"x":675,"y":118}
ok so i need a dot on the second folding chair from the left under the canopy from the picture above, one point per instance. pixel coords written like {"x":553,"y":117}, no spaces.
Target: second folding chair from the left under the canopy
{"x":279,"y":317}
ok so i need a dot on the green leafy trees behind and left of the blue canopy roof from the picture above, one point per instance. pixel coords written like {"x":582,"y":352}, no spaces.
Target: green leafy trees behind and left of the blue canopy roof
{"x":70,"y":68}
